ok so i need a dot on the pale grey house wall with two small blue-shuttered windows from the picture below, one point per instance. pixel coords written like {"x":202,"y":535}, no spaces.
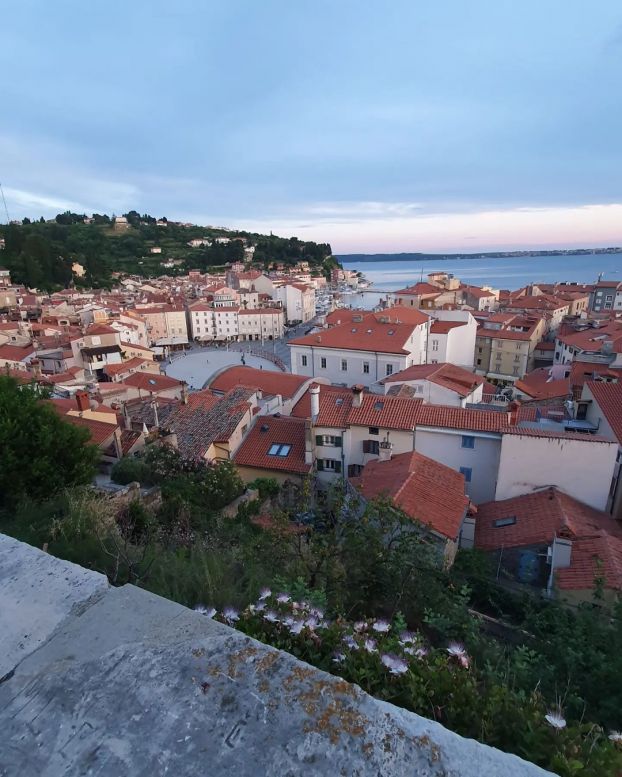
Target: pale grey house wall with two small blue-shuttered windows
{"x":445,"y":446}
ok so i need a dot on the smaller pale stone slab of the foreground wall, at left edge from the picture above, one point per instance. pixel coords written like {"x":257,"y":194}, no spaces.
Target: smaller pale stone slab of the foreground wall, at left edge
{"x":37,"y":593}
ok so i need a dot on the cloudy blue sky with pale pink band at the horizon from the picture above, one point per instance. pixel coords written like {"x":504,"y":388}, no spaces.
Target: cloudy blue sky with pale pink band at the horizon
{"x":410,"y":125}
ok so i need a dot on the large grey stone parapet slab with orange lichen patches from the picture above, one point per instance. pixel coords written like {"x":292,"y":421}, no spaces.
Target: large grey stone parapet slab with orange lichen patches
{"x":136,"y":685}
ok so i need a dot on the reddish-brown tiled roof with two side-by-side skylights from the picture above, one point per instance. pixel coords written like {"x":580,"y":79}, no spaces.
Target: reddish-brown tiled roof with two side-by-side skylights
{"x":270,"y":430}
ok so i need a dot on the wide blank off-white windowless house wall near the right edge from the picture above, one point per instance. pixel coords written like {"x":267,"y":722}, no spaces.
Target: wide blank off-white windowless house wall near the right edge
{"x":581,"y":468}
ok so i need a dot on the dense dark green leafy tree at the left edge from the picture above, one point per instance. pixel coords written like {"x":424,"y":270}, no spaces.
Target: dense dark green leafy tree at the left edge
{"x":41,"y":453}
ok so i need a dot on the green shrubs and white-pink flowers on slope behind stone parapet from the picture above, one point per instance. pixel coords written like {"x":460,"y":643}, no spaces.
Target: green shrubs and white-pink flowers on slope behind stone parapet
{"x":360,"y":567}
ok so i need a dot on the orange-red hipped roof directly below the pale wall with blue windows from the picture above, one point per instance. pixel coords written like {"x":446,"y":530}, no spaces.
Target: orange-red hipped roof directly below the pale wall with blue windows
{"x":424,"y":489}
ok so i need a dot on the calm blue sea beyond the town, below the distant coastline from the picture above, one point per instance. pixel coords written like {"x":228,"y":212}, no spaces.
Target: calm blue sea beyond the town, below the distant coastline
{"x":500,"y":273}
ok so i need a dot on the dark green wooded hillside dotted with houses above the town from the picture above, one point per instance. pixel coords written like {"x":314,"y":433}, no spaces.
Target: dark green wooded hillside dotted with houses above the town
{"x":40,"y":253}
